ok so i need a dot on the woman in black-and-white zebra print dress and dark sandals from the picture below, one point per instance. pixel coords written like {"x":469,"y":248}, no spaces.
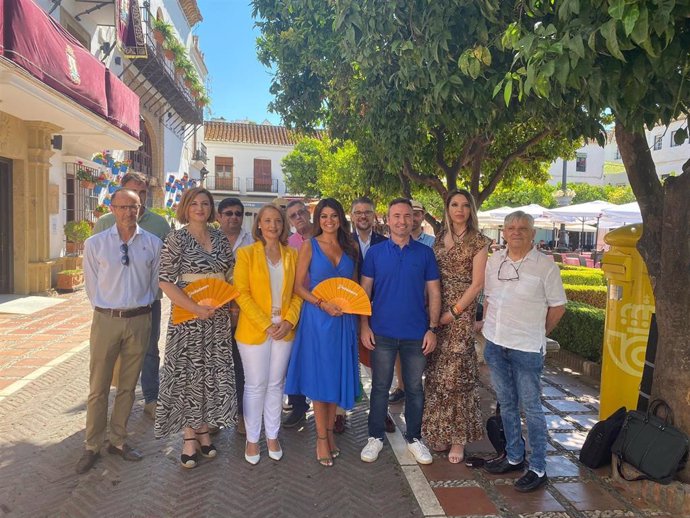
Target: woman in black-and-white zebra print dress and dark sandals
{"x":197,"y":388}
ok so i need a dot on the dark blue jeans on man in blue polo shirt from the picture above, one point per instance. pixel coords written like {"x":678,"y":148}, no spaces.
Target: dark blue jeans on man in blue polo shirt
{"x":413,"y":363}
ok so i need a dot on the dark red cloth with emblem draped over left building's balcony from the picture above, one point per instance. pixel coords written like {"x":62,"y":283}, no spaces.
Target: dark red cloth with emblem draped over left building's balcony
{"x":41,"y":46}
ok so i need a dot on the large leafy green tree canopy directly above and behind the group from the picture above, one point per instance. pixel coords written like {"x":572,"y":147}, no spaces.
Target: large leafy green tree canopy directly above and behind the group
{"x":411,"y":83}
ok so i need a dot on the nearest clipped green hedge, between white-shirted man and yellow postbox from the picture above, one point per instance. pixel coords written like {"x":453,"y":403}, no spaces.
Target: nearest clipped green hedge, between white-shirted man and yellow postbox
{"x":581,"y":330}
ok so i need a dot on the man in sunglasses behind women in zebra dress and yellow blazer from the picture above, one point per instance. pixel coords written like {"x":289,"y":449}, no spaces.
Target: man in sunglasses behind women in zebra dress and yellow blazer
{"x":231,"y":216}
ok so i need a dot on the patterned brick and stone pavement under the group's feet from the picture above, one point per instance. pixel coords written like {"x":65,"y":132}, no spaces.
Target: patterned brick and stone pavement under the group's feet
{"x":44,"y":383}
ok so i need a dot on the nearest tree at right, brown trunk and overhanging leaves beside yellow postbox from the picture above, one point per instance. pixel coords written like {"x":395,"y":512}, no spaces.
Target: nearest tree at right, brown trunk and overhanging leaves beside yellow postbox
{"x":631,"y":59}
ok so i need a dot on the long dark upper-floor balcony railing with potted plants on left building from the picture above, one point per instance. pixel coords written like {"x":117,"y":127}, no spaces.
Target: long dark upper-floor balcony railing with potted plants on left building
{"x":160,"y":73}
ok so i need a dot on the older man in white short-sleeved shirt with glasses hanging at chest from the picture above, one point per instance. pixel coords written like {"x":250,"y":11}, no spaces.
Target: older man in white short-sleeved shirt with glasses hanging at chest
{"x":524,"y":300}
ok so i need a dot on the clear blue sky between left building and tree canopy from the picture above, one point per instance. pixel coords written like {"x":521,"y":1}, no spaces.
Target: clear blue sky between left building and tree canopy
{"x":239,"y":83}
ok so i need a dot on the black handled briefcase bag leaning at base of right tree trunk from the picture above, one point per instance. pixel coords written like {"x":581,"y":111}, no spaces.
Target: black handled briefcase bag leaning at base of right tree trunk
{"x":652,"y":445}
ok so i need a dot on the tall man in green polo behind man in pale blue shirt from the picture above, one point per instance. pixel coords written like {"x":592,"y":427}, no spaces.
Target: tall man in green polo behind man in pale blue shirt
{"x":159,"y":227}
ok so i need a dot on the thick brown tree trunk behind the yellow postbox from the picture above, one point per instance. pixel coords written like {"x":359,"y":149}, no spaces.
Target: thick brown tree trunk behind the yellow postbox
{"x":665,"y":248}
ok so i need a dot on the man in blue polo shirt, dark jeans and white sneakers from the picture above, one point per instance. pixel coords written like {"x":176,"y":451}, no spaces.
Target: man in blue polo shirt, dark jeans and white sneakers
{"x":398,"y":272}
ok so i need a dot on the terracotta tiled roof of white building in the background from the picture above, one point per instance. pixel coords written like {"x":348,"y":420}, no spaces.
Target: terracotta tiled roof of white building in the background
{"x":251,"y":133}
